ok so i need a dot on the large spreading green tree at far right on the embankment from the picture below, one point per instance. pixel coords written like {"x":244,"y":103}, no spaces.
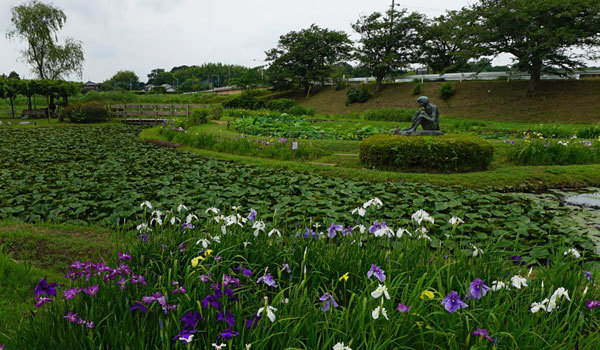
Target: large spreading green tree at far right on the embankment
{"x":548,"y":35}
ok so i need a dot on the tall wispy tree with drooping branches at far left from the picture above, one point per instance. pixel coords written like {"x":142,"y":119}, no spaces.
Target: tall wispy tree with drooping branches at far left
{"x":37,"y":24}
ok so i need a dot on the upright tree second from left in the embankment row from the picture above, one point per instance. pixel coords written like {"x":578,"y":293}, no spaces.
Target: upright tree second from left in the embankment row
{"x":388,"y":42}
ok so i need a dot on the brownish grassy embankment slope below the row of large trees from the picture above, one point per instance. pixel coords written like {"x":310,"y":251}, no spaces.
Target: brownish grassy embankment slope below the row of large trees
{"x":558,"y":101}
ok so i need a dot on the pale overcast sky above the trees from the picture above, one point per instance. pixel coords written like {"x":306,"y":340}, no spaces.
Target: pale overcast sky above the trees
{"x":141,"y":35}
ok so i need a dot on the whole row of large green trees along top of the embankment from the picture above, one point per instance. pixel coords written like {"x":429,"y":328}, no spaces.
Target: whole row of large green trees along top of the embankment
{"x":541,"y":36}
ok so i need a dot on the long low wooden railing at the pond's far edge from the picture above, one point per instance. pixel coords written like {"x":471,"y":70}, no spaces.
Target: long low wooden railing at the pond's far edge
{"x":154,"y":110}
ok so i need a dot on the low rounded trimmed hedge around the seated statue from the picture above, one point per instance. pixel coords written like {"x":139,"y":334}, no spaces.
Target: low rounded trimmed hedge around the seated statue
{"x":447,"y":153}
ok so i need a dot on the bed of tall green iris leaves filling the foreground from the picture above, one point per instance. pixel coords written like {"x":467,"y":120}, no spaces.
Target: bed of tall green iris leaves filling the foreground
{"x":317,"y":262}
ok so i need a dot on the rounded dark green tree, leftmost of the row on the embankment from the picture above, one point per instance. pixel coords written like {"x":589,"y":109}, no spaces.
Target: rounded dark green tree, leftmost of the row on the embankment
{"x":306,"y":57}
